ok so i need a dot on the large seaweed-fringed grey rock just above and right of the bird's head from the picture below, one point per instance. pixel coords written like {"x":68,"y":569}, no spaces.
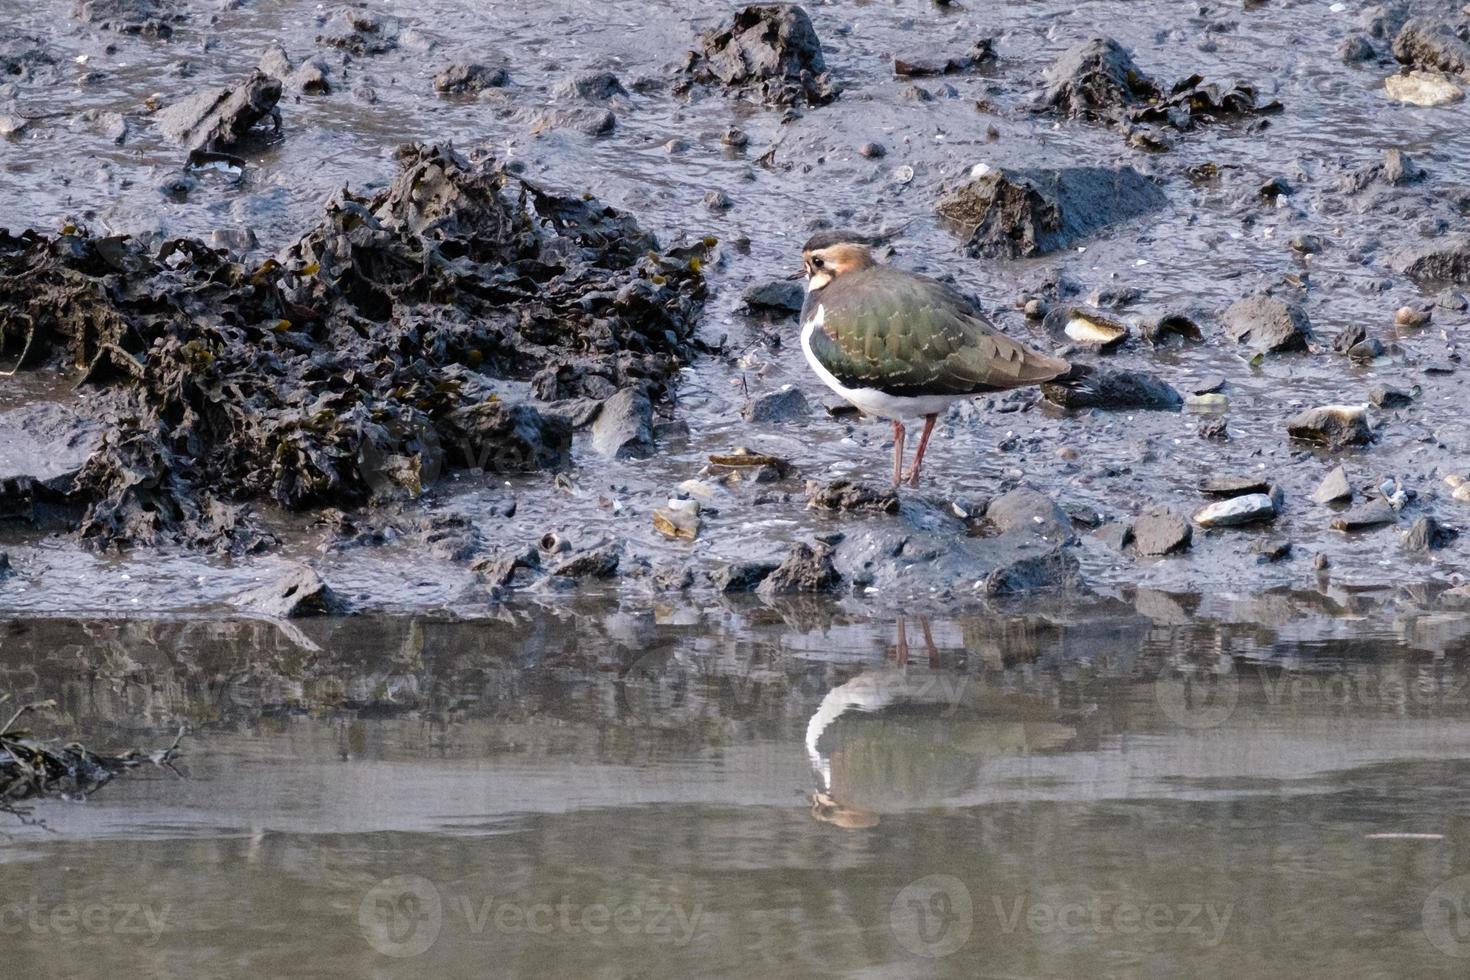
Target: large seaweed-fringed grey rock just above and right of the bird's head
{"x":1012,"y":214}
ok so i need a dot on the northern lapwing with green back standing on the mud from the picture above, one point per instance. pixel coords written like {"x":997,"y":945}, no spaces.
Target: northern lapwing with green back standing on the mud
{"x":902,"y":346}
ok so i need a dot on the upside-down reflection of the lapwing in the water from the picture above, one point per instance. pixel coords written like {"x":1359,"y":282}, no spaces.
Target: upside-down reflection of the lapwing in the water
{"x":917,"y":735}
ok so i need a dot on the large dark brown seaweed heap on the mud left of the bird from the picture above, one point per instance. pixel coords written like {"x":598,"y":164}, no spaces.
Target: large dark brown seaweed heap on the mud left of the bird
{"x":348,"y":365}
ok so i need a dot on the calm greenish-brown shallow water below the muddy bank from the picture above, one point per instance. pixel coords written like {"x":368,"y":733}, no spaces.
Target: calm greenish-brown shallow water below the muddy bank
{"x":728,"y":793}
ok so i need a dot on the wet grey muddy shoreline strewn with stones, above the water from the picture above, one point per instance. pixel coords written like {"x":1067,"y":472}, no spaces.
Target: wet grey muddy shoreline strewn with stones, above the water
{"x":1283,"y":180}
